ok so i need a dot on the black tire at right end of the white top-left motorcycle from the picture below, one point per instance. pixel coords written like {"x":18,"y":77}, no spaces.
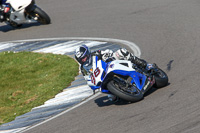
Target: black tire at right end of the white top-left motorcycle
{"x":42,"y":17}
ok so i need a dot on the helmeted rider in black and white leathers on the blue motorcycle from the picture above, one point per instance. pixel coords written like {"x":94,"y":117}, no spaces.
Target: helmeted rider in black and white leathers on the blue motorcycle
{"x":84,"y":56}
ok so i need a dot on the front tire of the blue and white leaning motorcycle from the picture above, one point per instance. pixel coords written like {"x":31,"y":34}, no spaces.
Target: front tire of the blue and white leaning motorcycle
{"x":122,"y":94}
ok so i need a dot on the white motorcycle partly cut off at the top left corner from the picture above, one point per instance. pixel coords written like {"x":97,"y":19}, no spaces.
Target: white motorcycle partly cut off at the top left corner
{"x":23,"y":11}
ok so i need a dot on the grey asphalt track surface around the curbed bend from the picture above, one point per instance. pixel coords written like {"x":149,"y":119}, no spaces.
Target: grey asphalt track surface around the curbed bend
{"x":167,"y":32}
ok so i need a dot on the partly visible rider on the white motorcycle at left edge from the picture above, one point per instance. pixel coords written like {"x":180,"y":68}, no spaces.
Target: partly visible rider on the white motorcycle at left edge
{"x":4,"y":8}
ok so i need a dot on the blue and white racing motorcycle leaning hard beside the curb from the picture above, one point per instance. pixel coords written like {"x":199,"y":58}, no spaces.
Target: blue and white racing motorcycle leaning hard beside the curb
{"x":124,"y":79}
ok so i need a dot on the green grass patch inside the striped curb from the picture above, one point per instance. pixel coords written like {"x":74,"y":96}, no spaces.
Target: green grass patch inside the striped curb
{"x":29,"y":79}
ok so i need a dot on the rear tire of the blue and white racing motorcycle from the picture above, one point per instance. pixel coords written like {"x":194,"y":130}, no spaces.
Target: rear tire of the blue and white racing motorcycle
{"x":161,"y":79}
